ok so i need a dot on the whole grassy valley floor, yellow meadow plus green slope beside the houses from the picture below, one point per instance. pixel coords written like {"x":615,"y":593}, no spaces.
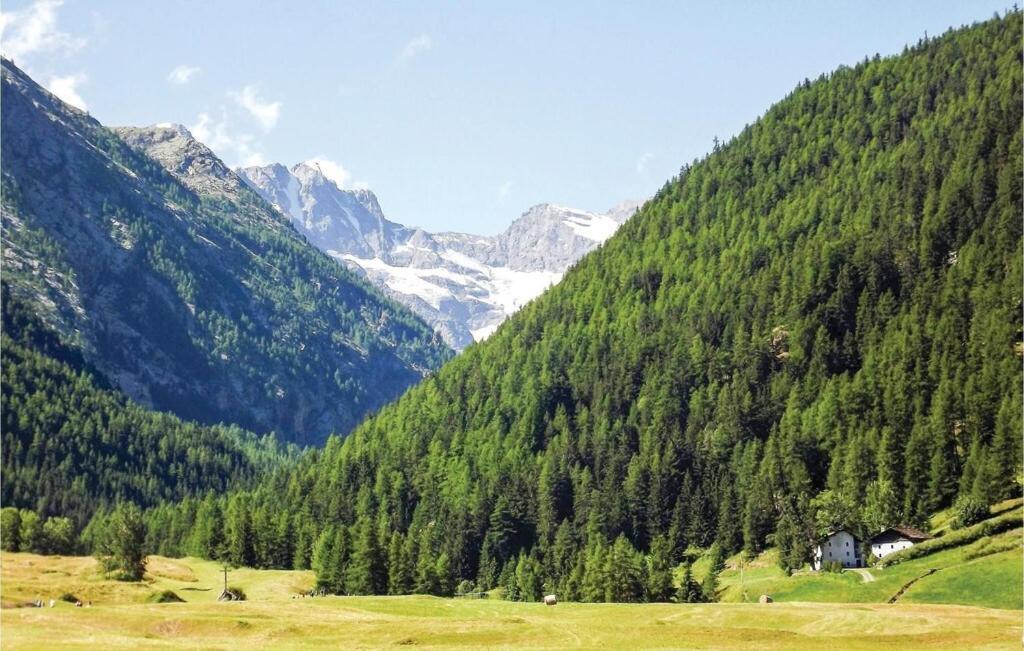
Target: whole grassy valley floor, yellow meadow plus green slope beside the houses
{"x":974,"y":600}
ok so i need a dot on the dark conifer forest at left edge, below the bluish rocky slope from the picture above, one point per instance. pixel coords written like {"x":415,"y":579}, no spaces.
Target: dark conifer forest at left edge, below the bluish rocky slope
{"x":72,"y":445}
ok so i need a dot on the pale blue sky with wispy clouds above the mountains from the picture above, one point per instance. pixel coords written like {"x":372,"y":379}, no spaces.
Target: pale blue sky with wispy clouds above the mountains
{"x":459,"y":116}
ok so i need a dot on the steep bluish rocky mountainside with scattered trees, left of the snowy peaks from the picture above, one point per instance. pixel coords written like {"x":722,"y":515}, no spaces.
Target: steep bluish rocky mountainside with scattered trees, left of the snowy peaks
{"x":189,"y":291}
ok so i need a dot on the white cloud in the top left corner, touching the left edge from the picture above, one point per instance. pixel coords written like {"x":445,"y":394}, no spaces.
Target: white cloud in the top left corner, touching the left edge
{"x":34,"y":30}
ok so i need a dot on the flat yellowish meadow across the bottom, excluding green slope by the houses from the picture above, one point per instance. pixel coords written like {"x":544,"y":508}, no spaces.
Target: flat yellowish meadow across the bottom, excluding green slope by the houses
{"x":121,"y":619}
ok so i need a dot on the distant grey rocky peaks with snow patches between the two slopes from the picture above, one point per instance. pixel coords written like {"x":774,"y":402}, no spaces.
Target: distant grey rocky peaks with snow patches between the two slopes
{"x":463,"y":285}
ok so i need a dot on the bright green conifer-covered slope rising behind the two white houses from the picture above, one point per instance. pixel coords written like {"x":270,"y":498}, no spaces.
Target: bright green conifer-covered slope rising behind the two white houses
{"x":817,"y":325}
